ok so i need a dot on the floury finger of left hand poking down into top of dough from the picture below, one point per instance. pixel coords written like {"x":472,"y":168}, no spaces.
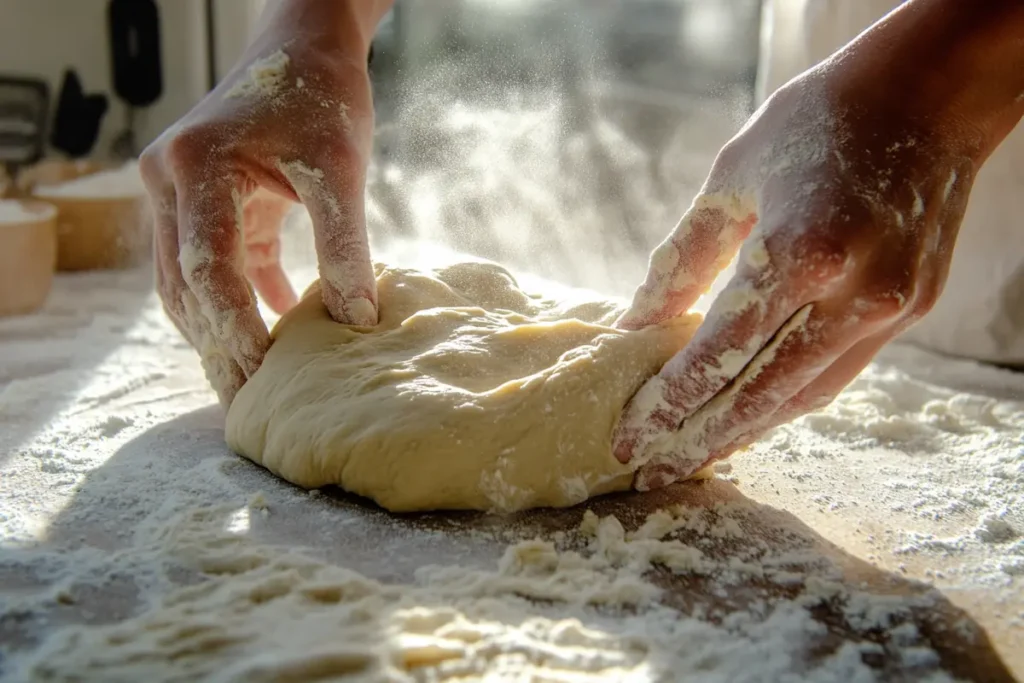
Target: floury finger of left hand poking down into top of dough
{"x":334,"y":197}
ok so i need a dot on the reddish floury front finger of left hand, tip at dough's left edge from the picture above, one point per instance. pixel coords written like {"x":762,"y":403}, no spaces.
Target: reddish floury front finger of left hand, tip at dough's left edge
{"x":212,"y":262}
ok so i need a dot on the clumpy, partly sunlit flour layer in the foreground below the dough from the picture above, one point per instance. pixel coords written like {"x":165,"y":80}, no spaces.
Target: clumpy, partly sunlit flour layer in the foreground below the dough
{"x":265,"y":615}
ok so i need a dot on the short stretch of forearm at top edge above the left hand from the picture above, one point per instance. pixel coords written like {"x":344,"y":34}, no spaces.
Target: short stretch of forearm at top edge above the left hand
{"x":346,"y":25}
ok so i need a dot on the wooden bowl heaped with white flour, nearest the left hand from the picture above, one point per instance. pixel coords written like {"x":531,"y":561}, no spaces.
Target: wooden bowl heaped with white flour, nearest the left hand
{"x":102,"y":222}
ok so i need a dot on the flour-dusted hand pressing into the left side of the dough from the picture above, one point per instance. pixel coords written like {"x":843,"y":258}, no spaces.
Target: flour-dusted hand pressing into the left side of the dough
{"x":293,"y":122}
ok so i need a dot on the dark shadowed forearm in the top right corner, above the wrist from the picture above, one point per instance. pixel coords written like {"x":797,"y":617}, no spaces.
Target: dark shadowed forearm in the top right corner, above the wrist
{"x":954,"y":65}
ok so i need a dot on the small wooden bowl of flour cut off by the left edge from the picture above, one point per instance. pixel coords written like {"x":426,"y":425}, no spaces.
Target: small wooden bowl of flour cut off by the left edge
{"x":29,"y":254}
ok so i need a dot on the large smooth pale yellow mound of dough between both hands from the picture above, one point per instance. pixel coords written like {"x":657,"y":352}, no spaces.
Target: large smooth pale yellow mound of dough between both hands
{"x":470,"y":394}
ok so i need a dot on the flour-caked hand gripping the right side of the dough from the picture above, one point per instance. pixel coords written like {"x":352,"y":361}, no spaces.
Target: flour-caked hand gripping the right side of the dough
{"x":846,"y":191}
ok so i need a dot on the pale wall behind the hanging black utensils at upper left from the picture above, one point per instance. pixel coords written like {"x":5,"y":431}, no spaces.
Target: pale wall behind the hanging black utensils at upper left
{"x":41,"y":38}
